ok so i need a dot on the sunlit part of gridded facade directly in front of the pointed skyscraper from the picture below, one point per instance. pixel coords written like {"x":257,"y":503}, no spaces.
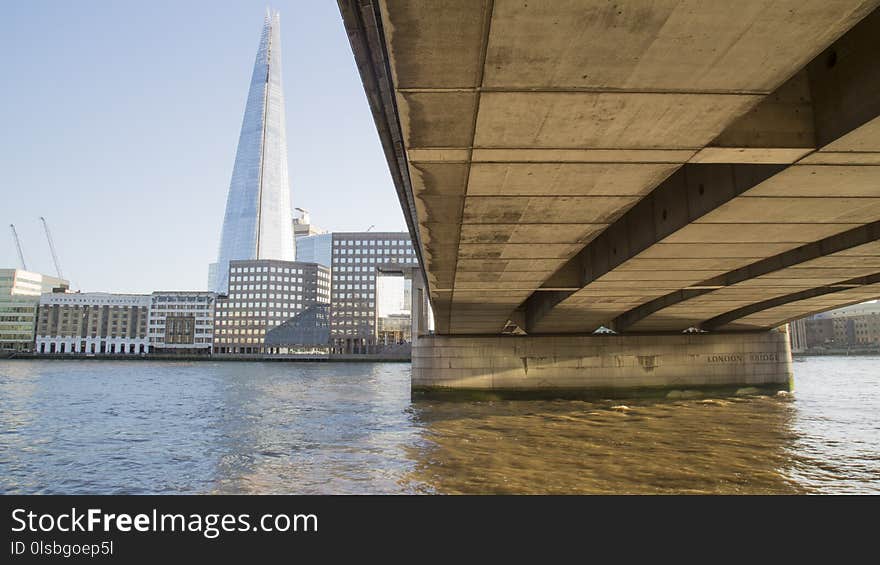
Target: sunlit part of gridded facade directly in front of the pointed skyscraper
{"x":264,"y":294}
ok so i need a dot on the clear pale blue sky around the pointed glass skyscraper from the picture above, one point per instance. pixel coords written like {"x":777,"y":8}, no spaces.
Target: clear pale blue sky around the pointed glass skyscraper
{"x":120,"y":121}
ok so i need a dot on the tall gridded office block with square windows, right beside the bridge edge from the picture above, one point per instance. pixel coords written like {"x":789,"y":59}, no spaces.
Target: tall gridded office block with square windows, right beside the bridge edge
{"x":358,"y":258}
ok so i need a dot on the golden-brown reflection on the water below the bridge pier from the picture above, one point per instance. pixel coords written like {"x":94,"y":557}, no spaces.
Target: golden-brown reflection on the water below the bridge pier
{"x":714,"y":445}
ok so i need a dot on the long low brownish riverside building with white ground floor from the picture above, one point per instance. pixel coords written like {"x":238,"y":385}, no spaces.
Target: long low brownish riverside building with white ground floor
{"x":93,"y":323}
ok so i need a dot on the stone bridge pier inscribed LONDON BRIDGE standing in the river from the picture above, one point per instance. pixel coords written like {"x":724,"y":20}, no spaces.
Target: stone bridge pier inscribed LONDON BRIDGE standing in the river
{"x":673,"y":366}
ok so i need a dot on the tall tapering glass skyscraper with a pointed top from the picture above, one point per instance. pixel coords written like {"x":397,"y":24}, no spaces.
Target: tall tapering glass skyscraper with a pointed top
{"x":258,"y":221}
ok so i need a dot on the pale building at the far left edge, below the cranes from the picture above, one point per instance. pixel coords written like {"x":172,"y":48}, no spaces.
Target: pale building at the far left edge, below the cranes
{"x":20,"y":292}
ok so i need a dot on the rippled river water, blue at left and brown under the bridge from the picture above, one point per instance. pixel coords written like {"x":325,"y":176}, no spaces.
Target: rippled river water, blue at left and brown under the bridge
{"x":166,"y":427}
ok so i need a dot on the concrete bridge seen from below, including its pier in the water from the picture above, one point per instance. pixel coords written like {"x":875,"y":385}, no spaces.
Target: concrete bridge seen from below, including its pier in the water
{"x":683,"y":176}
